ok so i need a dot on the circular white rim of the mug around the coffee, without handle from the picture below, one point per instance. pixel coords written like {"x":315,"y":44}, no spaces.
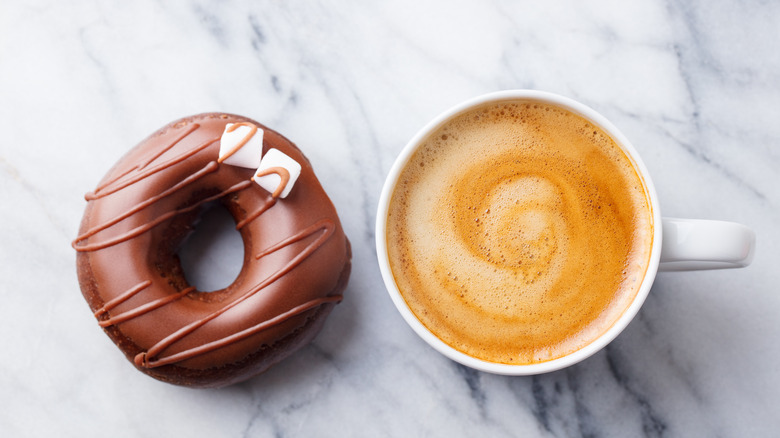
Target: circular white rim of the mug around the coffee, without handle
{"x":381,"y":230}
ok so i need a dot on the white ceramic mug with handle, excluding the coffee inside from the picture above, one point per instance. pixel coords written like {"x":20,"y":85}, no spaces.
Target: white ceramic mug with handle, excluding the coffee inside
{"x":678,"y":244}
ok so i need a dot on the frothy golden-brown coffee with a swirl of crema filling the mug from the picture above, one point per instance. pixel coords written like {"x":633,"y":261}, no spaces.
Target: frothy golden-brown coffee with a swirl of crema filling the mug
{"x":519,"y":232}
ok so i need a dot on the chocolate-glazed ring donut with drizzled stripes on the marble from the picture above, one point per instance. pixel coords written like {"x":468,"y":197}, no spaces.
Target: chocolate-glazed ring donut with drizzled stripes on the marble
{"x":296,"y":255}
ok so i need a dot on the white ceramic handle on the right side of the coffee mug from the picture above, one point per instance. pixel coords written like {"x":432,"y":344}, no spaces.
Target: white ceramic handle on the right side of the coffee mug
{"x":695,"y":244}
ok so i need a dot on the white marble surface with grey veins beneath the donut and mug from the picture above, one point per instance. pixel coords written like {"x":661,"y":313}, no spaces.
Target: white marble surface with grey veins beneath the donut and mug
{"x":695,"y":85}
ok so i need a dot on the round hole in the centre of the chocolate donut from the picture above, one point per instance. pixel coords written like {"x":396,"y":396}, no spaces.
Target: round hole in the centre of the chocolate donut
{"x":211,"y":257}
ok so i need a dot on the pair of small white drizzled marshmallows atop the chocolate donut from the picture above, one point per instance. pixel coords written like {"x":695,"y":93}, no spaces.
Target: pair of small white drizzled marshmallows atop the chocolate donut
{"x":242,"y":145}
